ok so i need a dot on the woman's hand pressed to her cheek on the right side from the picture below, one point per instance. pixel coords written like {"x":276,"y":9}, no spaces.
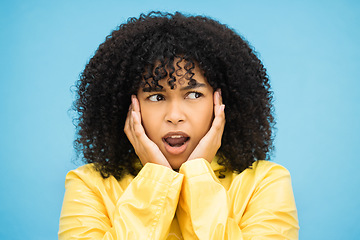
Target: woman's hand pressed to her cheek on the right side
{"x":211,"y":142}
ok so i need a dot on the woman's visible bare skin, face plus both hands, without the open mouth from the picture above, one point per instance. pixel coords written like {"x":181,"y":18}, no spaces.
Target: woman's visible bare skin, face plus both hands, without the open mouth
{"x":196,"y":111}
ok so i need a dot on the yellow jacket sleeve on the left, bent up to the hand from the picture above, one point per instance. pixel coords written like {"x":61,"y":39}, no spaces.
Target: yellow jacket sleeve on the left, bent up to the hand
{"x":143,"y":211}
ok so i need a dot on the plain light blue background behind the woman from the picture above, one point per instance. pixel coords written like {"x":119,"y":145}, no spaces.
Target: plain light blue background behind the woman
{"x":310,"y":48}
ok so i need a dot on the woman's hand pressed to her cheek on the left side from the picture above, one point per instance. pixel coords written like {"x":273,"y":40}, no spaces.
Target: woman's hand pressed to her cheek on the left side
{"x":146,"y":149}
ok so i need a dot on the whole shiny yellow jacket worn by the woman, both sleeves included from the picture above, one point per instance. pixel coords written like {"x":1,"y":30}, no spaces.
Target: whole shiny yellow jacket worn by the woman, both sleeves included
{"x":193,"y":204}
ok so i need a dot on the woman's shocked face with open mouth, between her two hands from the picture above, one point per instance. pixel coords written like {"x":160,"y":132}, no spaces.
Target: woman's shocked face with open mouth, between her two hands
{"x":177,"y":119}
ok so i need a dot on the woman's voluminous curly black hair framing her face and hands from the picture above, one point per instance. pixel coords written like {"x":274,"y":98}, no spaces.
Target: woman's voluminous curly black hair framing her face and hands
{"x":132,"y":53}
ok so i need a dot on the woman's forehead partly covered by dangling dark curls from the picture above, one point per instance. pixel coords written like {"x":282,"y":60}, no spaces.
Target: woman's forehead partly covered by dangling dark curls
{"x":179,"y":73}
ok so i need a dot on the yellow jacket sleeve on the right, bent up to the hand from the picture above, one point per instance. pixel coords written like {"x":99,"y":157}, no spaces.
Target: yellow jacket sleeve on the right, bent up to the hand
{"x":205,"y":210}
